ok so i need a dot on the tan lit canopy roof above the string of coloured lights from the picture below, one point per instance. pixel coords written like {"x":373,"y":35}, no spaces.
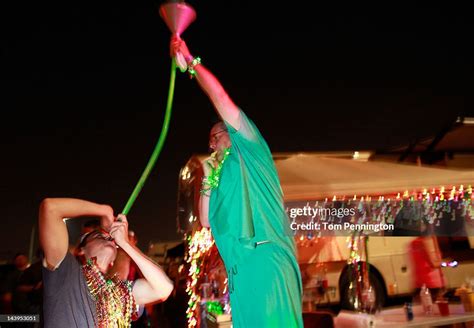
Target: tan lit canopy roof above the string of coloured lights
{"x":311,"y":177}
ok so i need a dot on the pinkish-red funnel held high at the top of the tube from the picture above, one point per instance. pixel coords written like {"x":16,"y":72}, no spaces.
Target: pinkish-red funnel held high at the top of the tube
{"x":178,"y":16}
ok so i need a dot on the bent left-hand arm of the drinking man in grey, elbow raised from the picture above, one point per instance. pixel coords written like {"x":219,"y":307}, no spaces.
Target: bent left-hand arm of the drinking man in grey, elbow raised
{"x":52,"y":227}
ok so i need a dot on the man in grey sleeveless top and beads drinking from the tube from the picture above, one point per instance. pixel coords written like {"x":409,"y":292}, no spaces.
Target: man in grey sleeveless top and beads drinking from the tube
{"x":77,"y":291}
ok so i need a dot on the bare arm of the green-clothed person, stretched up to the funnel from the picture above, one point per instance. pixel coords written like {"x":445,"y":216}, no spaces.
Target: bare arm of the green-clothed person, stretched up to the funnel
{"x":224,"y":105}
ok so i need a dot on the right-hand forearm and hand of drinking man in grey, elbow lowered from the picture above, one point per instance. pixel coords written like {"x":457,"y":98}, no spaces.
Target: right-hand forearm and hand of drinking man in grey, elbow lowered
{"x":155,"y":286}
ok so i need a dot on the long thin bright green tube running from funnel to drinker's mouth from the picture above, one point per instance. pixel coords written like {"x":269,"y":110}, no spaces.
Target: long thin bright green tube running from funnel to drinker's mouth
{"x":159,"y":144}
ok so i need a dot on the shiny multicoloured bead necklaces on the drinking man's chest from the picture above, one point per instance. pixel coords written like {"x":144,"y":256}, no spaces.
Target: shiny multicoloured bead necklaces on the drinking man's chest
{"x":114,"y":302}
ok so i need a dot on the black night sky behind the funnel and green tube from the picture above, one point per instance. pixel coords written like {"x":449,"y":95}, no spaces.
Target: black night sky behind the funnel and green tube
{"x":84,"y":86}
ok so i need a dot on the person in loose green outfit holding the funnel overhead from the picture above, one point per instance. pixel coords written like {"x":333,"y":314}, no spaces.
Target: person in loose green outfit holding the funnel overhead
{"x":241,"y":200}
